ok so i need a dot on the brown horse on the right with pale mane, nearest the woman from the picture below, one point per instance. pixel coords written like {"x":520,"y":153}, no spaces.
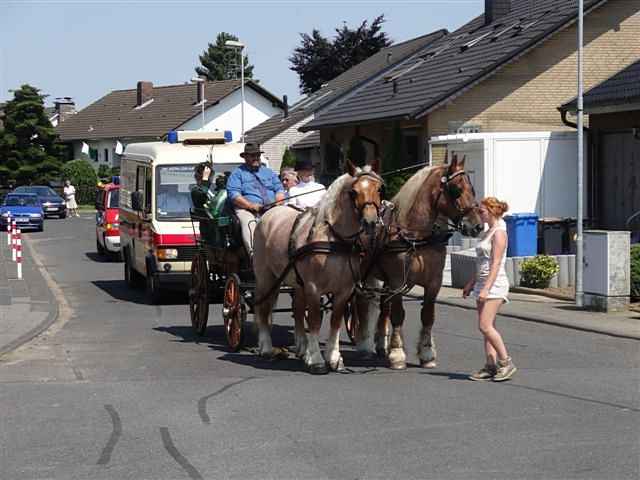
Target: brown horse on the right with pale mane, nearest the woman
{"x":414,"y":253}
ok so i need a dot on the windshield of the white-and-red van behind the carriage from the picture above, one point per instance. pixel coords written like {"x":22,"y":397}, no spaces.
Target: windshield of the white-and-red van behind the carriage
{"x":173,"y":192}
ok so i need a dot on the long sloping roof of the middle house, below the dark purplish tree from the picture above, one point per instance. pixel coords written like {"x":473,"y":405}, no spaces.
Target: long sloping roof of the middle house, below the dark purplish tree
{"x":337,"y":87}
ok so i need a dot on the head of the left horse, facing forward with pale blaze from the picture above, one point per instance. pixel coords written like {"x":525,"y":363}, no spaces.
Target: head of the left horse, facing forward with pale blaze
{"x":366,"y":195}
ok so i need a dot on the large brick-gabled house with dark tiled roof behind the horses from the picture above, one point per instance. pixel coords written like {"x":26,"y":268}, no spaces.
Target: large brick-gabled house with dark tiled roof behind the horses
{"x":503,"y":73}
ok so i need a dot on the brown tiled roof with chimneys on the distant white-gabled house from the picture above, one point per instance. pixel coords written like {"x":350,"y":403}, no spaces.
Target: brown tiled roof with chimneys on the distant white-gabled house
{"x":115,"y":115}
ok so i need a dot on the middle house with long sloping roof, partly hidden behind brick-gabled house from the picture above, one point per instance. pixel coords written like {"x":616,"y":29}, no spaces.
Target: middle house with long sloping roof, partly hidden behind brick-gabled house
{"x":281,"y":131}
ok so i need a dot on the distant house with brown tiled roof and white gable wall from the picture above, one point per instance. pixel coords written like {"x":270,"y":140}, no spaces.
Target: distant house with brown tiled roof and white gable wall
{"x":148,"y":112}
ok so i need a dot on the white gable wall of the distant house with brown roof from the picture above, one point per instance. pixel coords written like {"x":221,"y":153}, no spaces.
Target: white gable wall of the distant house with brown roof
{"x":226,"y":115}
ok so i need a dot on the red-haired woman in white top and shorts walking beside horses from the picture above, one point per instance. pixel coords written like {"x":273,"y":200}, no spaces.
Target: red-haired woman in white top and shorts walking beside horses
{"x":490,"y":287}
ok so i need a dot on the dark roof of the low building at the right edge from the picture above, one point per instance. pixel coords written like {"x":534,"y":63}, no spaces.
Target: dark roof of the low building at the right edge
{"x":622,"y":88}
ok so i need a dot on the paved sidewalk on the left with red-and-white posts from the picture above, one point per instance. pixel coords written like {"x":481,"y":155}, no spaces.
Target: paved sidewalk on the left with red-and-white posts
{"x":27,"y":306}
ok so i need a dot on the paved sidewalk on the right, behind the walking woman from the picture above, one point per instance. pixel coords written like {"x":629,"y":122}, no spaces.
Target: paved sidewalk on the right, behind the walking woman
{"x":541,"y":309}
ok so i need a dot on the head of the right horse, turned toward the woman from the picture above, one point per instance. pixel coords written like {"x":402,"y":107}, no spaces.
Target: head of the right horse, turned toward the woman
{"x":457,"y":198}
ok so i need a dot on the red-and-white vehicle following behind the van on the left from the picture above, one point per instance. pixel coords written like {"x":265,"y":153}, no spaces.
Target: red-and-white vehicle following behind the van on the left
{"x":107,"y":220}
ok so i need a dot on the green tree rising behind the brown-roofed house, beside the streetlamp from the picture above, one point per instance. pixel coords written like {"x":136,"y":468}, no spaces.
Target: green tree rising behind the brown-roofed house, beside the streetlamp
{"x":219,"y":62}
